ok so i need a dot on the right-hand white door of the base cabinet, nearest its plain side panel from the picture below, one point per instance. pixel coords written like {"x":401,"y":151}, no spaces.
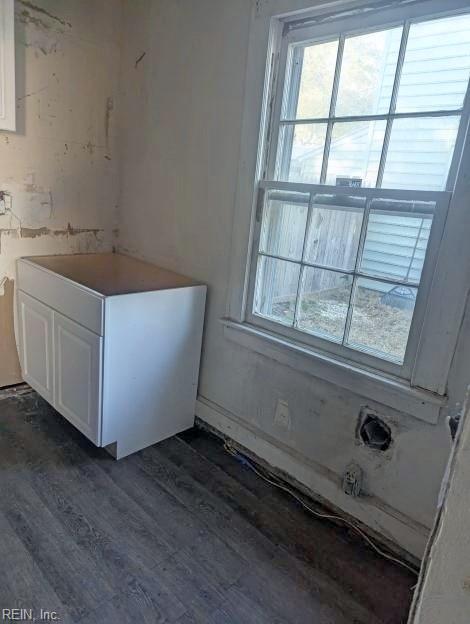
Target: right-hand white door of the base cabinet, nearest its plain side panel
{"x":78,"y":376}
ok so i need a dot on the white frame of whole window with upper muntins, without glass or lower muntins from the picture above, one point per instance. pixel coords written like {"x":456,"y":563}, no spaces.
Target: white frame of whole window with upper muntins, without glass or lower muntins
{"x":332,"y":30}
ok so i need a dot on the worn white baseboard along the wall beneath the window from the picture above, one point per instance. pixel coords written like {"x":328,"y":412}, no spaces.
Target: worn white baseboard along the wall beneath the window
{"x":381,"y":518}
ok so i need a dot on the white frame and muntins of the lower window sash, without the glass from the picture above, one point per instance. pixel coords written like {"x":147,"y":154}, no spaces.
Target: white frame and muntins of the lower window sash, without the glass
{"x":343,"y":351}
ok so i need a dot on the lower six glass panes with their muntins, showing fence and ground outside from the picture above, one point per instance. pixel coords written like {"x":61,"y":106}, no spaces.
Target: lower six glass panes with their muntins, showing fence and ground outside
{"x":349,"y":270}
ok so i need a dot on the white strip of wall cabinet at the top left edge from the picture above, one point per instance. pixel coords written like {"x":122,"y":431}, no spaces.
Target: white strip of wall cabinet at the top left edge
{"x":7,"y":66}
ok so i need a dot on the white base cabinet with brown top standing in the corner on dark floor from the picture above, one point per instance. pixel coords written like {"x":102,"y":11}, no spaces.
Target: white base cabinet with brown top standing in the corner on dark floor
{"x":113,"y":344}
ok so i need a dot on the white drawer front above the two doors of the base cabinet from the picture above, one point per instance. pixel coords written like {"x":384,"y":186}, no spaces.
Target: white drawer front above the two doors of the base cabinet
{"x":68,"y":298}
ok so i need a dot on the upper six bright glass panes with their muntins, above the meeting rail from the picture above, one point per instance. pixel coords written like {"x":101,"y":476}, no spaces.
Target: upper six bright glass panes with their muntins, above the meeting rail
{"x":406,"y":81}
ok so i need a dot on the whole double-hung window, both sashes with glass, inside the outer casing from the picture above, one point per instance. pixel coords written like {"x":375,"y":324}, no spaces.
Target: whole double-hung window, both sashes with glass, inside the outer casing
{"x":366,"y":131}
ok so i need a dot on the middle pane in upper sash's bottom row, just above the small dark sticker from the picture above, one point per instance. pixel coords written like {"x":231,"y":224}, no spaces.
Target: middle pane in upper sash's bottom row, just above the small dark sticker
{"x":355,"y":151}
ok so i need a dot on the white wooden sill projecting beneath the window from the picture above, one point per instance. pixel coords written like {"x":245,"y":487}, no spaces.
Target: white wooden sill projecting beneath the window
{"x":390,"y":391}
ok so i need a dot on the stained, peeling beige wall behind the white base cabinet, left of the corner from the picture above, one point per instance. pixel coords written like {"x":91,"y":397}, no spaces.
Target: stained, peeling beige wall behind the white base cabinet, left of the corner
{"x":60,"y":168}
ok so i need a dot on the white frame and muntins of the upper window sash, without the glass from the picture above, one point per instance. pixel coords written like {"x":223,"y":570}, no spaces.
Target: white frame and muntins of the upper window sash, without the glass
{"x":338,"y":29}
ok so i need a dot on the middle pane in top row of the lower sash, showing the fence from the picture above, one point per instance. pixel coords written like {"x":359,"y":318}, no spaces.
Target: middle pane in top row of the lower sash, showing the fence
{"x":334,"y":232}
